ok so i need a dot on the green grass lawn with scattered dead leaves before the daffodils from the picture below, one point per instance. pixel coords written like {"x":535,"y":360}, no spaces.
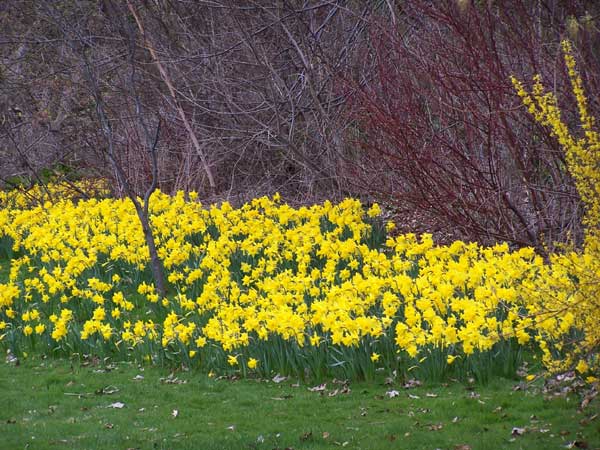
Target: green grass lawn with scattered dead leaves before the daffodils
{"x":53,"y":404}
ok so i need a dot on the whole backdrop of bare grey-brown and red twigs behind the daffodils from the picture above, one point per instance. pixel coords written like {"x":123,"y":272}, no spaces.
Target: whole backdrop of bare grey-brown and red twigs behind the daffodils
{"x":407,"y":102}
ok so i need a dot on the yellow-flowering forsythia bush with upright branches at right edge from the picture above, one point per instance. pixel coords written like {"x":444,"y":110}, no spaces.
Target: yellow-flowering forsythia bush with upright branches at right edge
{"x":576,"y":275}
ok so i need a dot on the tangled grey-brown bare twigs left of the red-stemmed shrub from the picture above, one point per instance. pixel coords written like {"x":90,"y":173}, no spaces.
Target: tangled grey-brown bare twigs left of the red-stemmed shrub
{"x":244,"y":91}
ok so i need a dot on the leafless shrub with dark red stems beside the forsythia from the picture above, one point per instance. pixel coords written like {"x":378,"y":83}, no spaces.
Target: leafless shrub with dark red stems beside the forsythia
{"x":444,"y":131}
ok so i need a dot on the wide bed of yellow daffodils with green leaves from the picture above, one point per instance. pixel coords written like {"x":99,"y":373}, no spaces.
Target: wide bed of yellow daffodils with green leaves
{"x":268,"y":288}
